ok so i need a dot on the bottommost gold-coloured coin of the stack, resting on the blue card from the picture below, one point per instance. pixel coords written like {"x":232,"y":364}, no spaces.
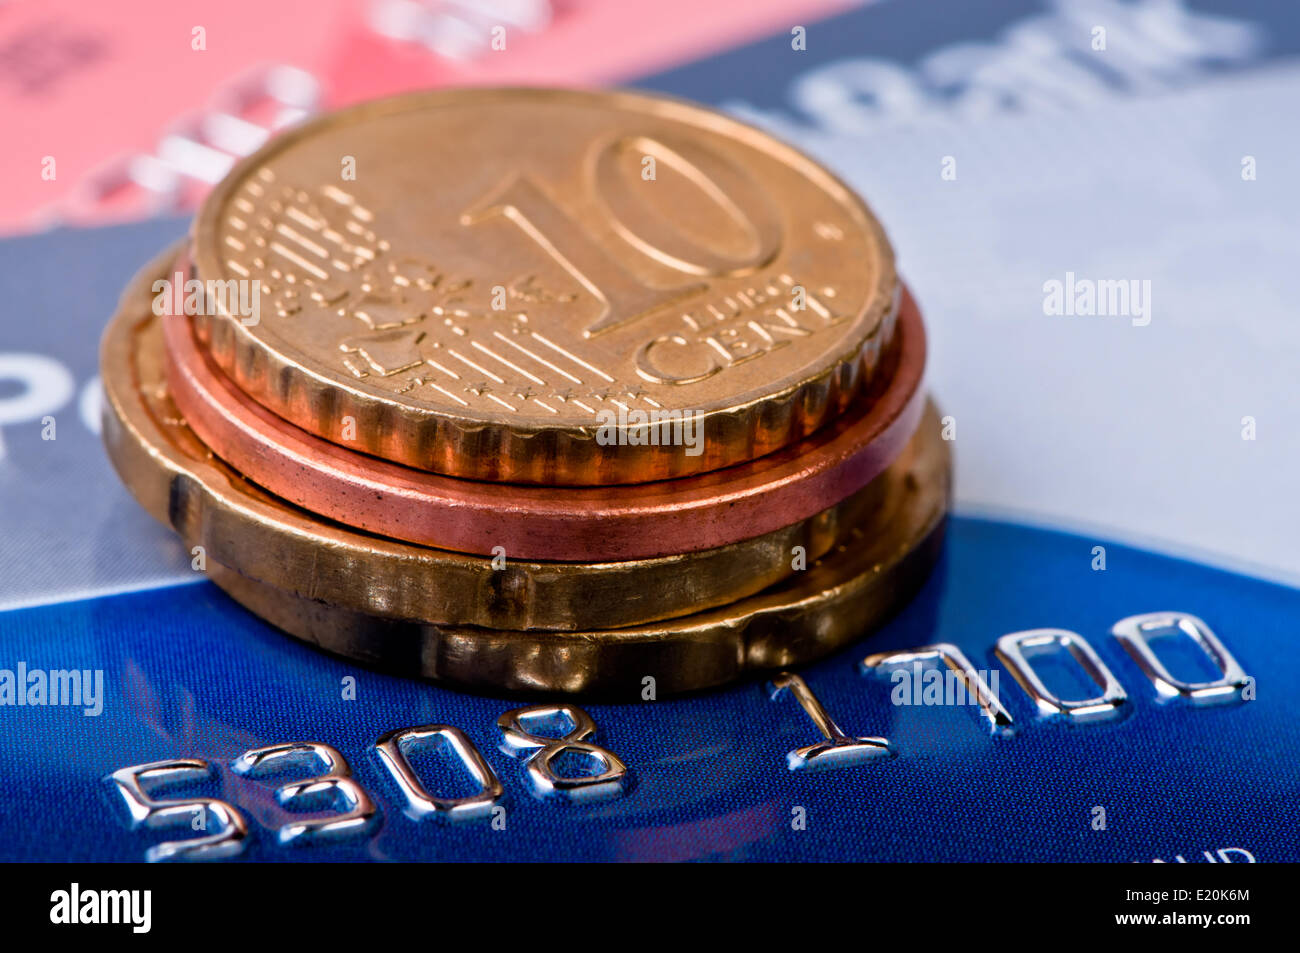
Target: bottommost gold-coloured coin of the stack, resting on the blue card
{"x":843,"y":597}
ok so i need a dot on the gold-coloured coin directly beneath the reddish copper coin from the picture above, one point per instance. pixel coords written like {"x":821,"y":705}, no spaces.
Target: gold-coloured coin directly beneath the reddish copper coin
{"x":176,"y":478}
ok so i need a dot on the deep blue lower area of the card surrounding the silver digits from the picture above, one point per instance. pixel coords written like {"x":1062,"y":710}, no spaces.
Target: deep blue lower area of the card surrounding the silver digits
{"x":188,"y":674}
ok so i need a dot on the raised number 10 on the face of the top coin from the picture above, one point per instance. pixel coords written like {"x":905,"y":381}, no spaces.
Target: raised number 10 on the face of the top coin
{"x":622,"y":294}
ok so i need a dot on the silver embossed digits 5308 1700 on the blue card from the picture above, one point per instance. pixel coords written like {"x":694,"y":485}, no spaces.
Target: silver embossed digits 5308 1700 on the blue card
{"x":551,"y":739}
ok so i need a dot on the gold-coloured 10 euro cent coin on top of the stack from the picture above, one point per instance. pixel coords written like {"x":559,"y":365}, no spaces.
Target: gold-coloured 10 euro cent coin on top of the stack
{"x":518,"y":285}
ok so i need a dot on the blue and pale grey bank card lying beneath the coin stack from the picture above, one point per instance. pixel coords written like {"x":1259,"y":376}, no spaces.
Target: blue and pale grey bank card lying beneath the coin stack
{"x":1110,"y":466}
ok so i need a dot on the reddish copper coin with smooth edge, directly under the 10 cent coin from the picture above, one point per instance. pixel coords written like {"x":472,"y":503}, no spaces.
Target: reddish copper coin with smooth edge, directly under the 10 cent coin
{"x":578,"y":525}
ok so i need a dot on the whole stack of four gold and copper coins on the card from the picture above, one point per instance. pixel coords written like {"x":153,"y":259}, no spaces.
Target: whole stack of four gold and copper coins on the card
{"x":538,"y":391}
